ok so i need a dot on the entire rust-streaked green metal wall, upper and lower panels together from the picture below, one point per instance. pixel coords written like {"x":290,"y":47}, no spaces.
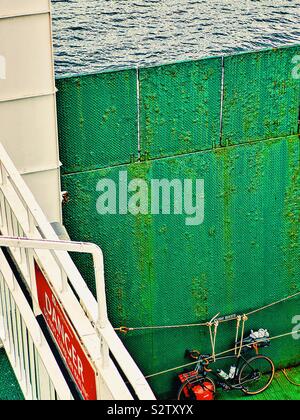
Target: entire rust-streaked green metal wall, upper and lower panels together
{"x":246,"y":253}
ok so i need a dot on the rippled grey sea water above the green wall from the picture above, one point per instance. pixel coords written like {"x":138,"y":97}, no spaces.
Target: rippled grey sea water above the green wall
{"x":95,"y":35}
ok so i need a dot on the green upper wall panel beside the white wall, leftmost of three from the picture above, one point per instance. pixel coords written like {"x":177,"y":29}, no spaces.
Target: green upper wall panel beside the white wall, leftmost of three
{"x":97,"y":119}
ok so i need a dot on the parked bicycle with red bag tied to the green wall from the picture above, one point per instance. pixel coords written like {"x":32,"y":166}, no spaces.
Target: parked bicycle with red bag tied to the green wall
{"x":250,"y":375}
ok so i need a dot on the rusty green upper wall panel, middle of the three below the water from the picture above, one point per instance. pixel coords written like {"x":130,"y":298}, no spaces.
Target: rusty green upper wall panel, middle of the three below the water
{"x":180,"y":107}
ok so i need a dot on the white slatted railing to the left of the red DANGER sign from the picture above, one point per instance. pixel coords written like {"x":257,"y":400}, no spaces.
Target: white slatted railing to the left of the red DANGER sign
{"x":34,"y":365}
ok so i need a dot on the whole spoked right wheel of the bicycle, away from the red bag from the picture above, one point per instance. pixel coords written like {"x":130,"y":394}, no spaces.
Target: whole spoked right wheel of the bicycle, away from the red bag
{"x":256,"y":375}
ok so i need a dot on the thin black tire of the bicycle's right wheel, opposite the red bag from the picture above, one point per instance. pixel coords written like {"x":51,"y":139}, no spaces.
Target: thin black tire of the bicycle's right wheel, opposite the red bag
{"x":269,"y":379}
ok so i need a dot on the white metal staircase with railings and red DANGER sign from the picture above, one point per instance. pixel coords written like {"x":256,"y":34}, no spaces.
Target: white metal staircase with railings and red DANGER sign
{"x":56,"y":335}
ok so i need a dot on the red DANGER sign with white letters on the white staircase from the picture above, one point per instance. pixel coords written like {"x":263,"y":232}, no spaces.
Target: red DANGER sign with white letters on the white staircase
{"x":66,"y":338}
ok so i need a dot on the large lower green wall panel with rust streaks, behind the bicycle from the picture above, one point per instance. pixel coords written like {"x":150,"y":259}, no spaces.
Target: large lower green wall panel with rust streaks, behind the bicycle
{"x":161,"y":272}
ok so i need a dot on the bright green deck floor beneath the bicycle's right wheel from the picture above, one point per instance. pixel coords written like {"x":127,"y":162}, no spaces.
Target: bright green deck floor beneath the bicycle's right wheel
{"x":280,"y":389}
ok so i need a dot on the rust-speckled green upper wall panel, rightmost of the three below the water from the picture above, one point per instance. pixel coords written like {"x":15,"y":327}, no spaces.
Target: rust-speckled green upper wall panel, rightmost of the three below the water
{"x":261,"y":95}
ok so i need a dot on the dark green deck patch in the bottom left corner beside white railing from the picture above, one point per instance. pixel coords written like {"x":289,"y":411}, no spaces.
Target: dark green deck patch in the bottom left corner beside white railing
{"x":9,"y":388}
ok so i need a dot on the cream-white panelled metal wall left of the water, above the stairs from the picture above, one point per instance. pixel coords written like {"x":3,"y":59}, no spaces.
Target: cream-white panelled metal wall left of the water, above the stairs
{"x":27,"y":98}
